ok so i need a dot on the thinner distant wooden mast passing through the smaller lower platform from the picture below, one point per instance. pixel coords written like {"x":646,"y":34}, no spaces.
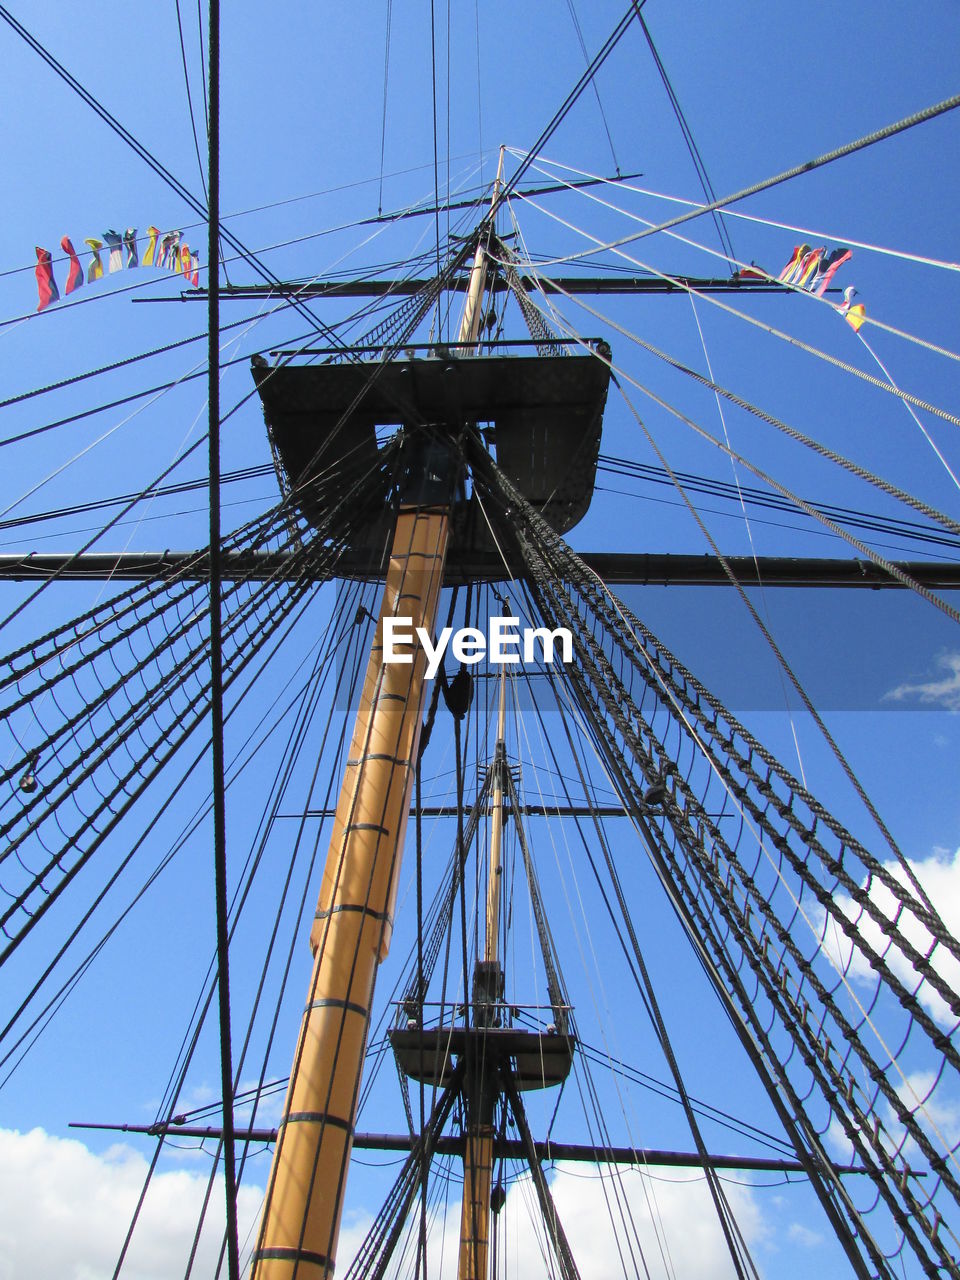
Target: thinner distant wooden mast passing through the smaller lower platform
{"x":481,"y":1090}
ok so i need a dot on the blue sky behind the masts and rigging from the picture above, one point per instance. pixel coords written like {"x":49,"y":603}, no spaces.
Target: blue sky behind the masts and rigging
{"x":764,"y":89}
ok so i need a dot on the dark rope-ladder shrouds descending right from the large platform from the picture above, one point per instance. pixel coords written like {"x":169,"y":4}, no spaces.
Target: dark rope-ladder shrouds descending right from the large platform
{"x":708,"y":877}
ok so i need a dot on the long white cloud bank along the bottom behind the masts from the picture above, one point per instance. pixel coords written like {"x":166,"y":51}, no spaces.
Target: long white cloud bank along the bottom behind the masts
{"x":66,"y":1210}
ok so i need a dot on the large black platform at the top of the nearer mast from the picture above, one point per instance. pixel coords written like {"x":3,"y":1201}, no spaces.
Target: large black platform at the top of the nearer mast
{"x":542,"y":414}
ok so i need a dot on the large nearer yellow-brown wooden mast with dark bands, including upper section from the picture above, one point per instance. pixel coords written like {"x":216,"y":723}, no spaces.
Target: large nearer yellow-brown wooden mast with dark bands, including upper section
{"x":354,"y":921}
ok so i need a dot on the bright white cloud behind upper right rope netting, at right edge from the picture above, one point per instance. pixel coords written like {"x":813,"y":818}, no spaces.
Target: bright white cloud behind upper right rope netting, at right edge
{"x":940,"y":877}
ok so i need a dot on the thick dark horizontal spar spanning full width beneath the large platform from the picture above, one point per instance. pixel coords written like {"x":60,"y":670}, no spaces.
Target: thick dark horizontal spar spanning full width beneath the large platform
{"x":618,"y":569}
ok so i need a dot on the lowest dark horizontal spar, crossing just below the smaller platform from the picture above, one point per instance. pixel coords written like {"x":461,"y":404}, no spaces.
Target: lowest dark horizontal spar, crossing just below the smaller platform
{"x":550,"y":1151}
